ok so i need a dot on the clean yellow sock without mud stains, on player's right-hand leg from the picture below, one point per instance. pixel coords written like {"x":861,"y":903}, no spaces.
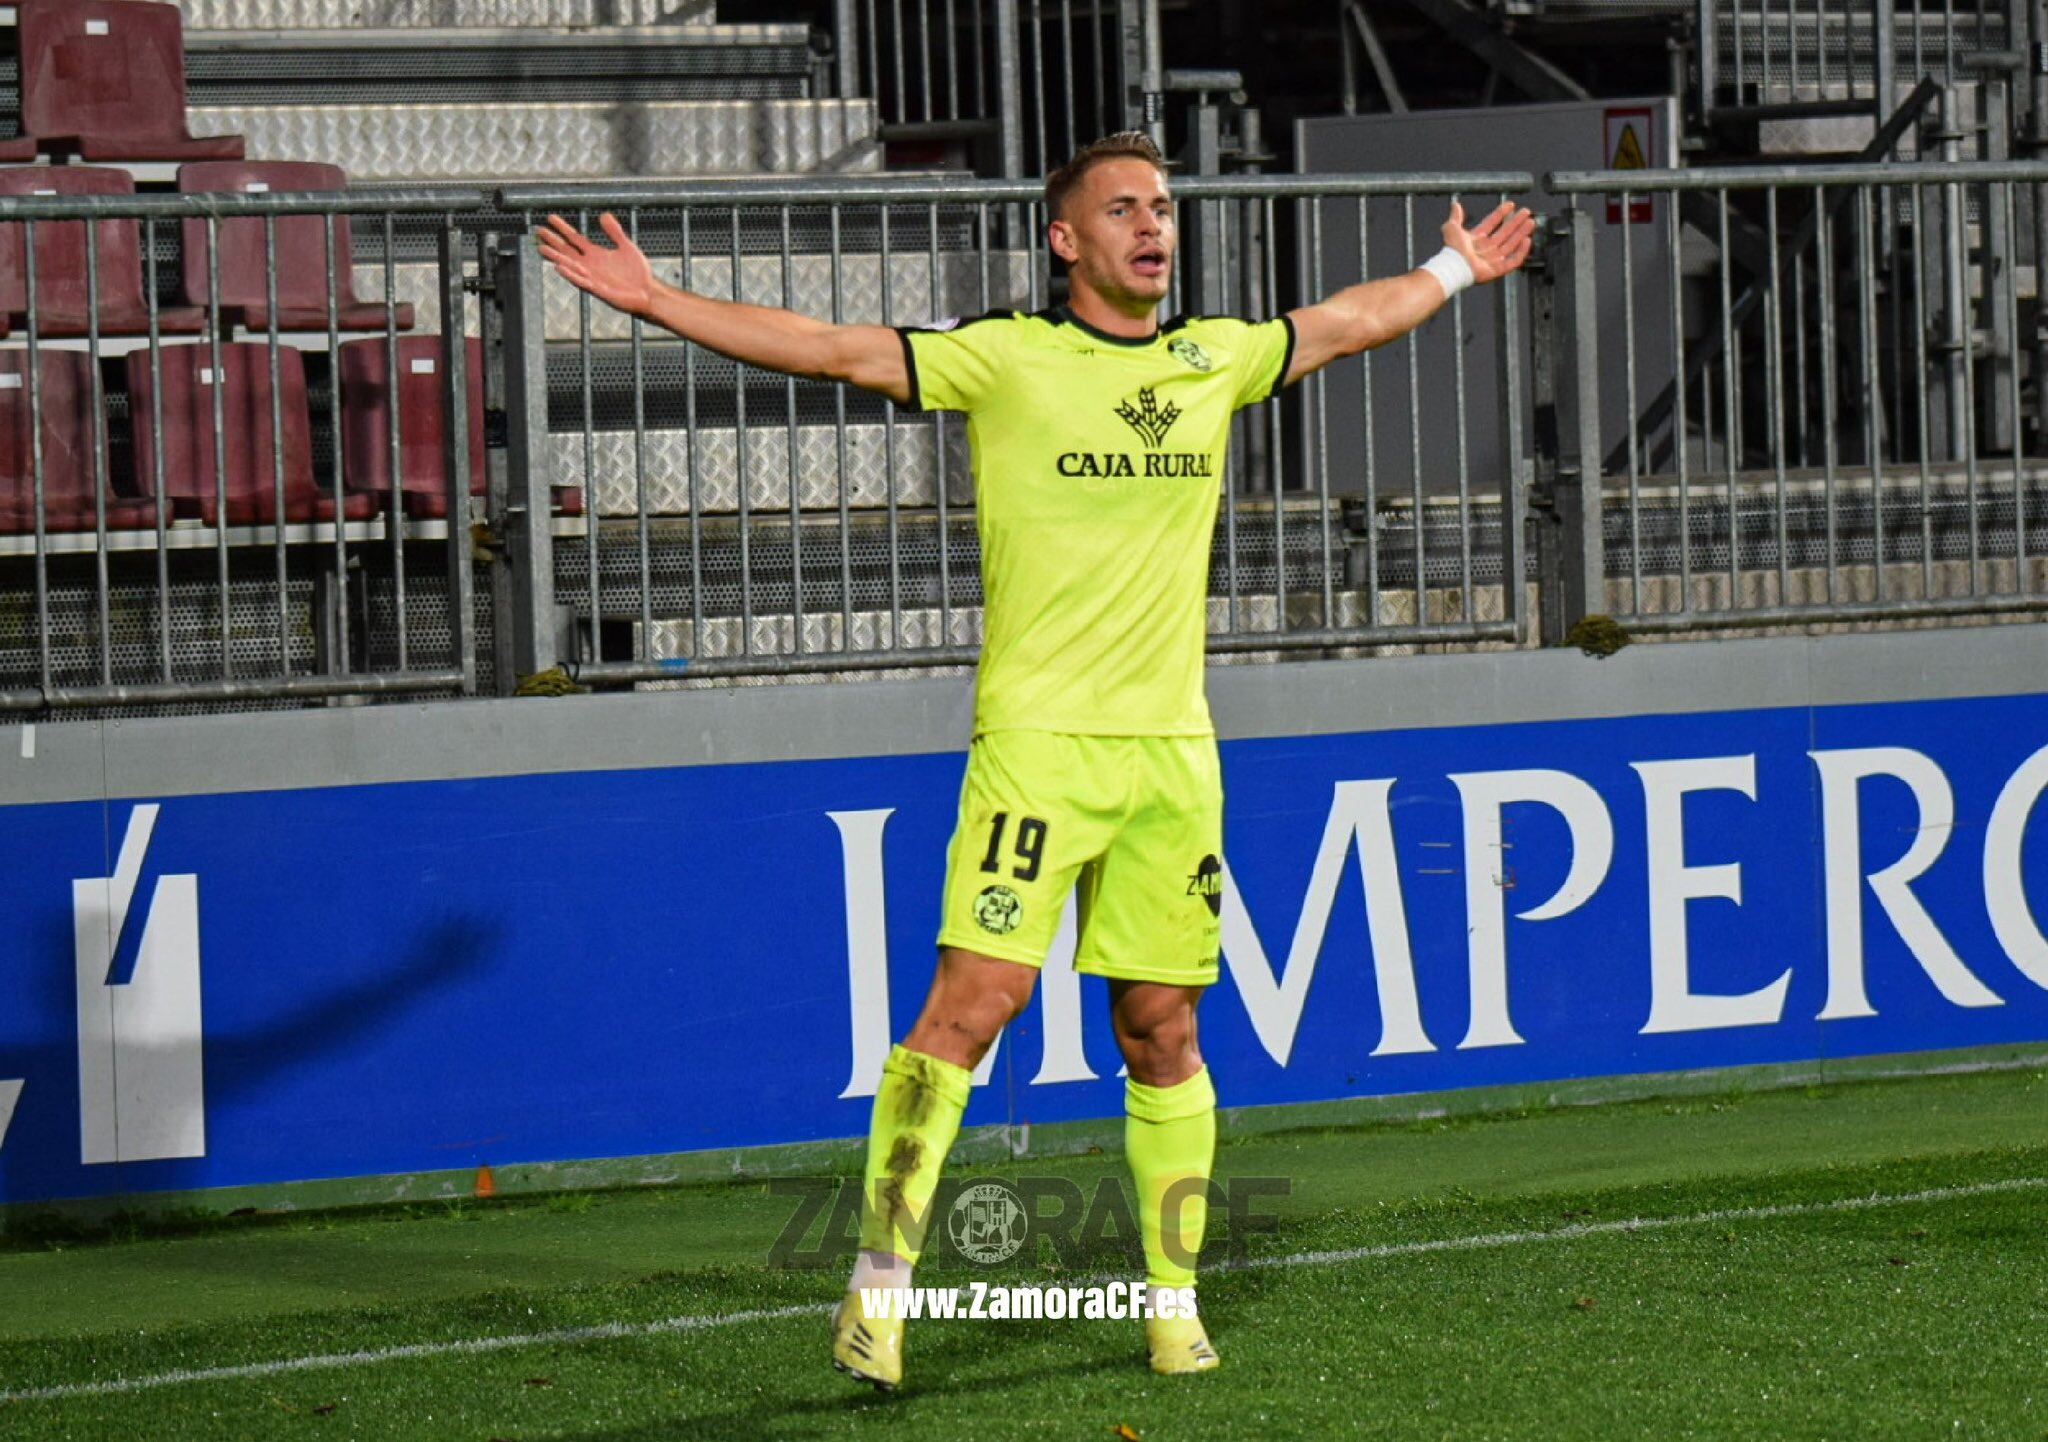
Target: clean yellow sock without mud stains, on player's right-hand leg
{"x":1170,"y":1136}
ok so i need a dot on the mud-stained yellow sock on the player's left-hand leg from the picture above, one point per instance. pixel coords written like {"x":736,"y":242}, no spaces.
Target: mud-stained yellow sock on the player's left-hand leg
{"x":916,"y":1115}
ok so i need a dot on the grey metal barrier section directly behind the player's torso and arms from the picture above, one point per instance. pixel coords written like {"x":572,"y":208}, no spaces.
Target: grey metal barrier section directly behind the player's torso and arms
{"x":746,"y":523}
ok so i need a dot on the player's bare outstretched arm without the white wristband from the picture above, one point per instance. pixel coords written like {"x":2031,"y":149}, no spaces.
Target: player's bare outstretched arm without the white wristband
{"x":620,"y":275}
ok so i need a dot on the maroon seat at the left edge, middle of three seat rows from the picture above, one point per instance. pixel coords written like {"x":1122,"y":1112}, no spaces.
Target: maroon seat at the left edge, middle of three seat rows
{"x":60,"y":261}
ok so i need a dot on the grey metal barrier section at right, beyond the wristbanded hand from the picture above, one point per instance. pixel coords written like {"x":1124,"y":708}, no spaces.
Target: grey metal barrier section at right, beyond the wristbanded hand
{"x":1822,"y":413}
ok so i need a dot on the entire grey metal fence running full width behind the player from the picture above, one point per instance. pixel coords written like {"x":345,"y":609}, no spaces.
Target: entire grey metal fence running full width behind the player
{"x":1840,"y":421}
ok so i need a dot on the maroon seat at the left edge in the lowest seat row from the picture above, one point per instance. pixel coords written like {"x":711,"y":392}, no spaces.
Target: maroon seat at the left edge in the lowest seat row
{"x":65,"y":396}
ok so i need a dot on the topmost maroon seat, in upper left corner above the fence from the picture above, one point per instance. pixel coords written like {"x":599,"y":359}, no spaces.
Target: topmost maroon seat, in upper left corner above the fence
{"x":105,"y":81}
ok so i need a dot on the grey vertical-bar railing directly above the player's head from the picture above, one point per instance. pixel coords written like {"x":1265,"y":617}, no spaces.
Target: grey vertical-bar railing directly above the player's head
{"x":1023,"y":83}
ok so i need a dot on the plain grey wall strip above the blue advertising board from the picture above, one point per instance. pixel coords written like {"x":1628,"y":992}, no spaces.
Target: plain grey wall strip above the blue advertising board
{"x":83,"y":761}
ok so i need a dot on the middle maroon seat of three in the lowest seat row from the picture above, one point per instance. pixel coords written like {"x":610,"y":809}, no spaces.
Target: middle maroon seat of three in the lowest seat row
{"x":249,"y":454}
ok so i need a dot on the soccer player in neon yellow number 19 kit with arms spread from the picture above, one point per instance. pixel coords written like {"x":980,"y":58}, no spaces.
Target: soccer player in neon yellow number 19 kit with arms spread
{"x":1099,"y":439}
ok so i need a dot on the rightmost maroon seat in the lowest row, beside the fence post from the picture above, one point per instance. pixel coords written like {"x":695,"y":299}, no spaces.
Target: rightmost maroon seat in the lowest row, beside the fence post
{"x":423,"y":423}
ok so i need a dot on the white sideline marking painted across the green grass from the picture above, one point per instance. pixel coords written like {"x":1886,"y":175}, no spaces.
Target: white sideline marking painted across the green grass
{"x":617,"y":1330}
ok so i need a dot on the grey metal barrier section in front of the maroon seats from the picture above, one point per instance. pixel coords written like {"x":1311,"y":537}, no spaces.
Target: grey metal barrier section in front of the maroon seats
{"x":191,"y":507}
